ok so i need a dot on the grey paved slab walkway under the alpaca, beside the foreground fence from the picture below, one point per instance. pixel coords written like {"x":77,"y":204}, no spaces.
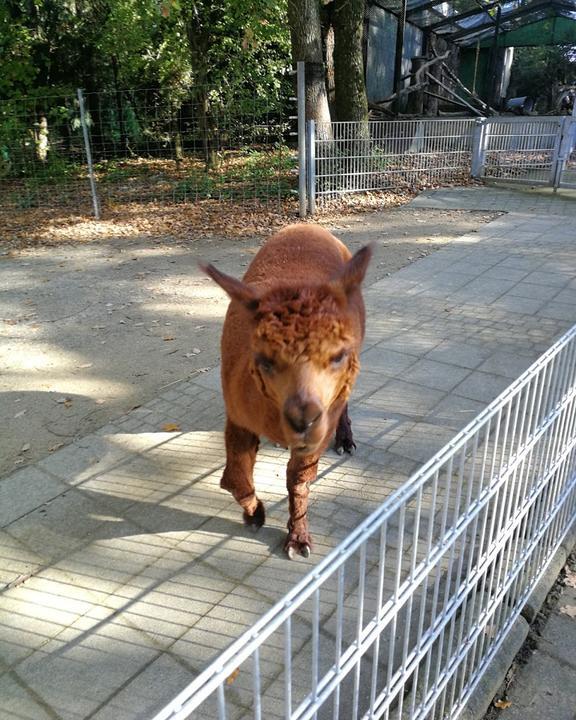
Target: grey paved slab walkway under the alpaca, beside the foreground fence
{"x":125,"y":569}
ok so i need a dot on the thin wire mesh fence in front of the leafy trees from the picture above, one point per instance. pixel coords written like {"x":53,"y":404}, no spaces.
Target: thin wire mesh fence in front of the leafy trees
{"x":144,"y":148}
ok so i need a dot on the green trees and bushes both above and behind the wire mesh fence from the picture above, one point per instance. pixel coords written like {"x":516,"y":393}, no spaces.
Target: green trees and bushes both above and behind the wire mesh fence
{"x":205,"y":74}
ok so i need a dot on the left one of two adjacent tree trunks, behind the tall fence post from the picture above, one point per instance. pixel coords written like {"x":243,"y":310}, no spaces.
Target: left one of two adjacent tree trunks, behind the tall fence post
{"x":306,"y":35}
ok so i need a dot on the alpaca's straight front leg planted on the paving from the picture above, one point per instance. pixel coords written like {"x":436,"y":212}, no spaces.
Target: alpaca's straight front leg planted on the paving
{"x":301,"y":472}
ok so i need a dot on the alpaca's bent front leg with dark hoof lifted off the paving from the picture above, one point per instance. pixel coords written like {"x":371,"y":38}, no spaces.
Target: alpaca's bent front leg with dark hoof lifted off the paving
{"x":238,"y":479}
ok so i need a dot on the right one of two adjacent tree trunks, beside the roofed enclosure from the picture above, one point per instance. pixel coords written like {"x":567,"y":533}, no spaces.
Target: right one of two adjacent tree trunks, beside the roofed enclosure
{"x":351,"y":103}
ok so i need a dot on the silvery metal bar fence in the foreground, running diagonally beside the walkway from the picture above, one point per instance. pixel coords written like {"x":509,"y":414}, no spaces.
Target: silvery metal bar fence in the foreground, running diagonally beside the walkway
{"x":402,"y":619}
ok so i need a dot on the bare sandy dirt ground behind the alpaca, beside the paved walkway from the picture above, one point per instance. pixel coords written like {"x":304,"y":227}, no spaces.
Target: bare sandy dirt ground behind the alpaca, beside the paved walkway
{"x":91,"y":329}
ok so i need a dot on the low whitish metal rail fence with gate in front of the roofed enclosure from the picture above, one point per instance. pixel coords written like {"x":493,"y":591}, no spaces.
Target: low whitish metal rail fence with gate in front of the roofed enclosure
{"x":379,"y":155}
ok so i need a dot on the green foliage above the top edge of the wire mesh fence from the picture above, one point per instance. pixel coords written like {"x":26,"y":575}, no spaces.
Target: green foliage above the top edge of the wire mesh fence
{"x":227,"y":45}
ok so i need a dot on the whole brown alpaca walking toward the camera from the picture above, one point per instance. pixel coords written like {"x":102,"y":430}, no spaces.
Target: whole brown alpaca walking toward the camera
{"x":290,"y":347}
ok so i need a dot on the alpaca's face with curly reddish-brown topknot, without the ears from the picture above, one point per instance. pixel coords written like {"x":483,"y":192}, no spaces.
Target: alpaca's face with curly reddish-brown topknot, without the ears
{"x":305,"y":355}
